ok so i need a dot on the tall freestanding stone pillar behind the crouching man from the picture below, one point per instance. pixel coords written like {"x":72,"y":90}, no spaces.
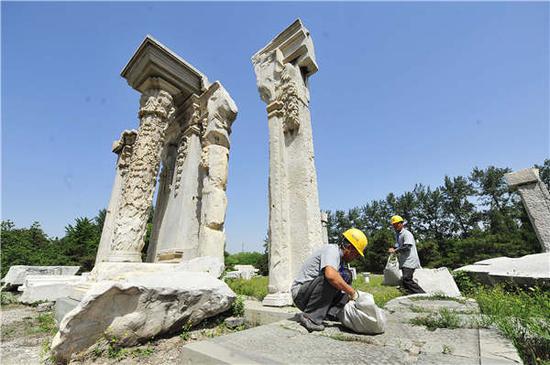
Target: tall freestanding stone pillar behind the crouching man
{"x":282,"y":70}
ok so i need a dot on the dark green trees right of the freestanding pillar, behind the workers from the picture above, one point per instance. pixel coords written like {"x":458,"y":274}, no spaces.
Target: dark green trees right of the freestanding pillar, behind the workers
{"x":466,"y":219}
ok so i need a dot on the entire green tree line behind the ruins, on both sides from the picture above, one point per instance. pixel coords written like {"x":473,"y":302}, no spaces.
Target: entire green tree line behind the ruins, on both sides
{"x":464,"y":220}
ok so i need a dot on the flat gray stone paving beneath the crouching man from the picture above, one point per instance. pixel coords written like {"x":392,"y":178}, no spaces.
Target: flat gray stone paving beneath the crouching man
{"x":286,"y":342}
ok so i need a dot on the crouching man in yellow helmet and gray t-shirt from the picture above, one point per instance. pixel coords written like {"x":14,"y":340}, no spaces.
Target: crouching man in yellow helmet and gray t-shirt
{"x":323,"y":283}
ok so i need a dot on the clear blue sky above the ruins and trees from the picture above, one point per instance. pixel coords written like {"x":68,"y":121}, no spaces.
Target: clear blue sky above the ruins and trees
{"x":406,"y":93}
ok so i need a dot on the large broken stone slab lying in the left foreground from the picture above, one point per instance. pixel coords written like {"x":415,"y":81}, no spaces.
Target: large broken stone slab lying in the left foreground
{"x":137,"y":308}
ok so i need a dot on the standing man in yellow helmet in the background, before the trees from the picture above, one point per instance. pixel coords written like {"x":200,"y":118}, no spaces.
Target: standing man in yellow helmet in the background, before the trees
{"x":405,"y":246}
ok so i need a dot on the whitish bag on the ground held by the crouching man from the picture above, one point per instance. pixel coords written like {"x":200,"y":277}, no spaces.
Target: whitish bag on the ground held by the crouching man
{"x":363,"y":315}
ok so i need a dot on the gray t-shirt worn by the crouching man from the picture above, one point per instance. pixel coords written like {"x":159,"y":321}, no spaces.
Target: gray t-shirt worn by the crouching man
{"x":328,"y":255}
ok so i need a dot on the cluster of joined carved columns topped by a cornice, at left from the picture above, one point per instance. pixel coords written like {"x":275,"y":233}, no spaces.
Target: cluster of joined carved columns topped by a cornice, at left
{"x":184,"y":129}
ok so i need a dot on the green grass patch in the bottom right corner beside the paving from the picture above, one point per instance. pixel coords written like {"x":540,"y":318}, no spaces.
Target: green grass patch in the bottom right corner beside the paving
{"x":523,"y":316}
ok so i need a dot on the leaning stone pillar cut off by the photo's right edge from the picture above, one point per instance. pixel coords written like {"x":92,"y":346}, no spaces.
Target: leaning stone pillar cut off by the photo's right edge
{"x":536,"y":200}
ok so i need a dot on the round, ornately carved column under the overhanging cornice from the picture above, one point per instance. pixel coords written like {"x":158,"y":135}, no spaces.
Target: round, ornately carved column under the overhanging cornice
{"x":137,"y":192}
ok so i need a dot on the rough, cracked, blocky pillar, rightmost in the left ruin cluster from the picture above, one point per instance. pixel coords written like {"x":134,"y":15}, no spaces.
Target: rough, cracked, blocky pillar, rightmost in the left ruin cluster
{"x":221,"y":112}
